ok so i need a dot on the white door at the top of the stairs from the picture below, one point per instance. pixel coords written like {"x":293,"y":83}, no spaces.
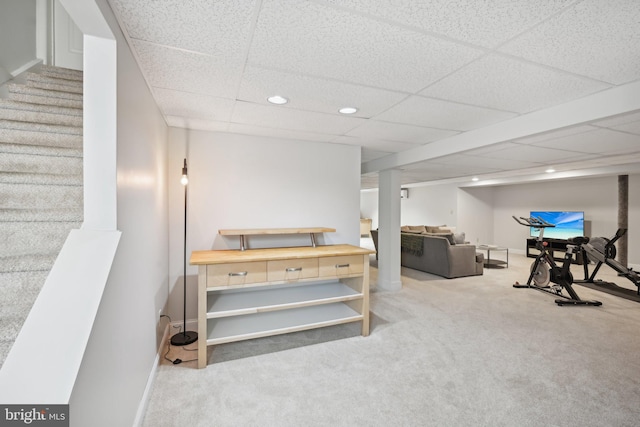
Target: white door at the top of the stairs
{"x":67,"y":45}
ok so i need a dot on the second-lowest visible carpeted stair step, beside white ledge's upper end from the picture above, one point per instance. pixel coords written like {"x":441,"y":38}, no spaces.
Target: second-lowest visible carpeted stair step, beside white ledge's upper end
{"x":23,"y":238}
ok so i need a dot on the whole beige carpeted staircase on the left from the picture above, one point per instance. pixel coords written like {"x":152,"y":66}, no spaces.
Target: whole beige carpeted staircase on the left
{"x":41,"y":196}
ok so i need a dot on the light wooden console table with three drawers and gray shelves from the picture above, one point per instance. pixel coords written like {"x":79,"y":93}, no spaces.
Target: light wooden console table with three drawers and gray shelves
{"x":262,"y":292}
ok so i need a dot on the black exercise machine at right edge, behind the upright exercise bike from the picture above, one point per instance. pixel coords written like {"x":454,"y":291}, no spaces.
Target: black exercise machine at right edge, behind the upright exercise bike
{"x":603,"y":251}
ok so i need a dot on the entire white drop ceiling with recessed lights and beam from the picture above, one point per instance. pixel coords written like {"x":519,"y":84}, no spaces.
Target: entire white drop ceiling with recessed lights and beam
{"x":446,"y":90}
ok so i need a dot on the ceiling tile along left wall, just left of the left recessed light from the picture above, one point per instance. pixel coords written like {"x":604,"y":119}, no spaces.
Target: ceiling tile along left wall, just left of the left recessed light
{"x":195,"y":105}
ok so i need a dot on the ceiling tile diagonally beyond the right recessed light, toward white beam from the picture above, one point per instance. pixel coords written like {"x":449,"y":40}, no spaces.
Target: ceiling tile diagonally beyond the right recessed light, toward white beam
{"x":398,"y":132}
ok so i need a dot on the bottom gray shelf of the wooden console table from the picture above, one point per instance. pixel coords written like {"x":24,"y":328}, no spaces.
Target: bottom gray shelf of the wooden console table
{"x":237,"y":328}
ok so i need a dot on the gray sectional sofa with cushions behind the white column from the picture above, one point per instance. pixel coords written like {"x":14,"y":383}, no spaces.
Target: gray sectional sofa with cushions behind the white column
{"x":437,"y":253}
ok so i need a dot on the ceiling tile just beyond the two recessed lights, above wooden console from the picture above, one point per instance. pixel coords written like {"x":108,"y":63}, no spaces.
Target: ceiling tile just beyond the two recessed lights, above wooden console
{"x":272,"y":116}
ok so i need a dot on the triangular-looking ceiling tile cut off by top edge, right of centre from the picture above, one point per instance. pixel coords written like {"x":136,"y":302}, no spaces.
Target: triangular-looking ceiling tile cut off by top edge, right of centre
{"x":485,"y":23}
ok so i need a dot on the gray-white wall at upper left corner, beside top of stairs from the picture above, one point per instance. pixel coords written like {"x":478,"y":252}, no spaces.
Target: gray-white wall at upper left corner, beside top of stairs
{"x":17,"y":35}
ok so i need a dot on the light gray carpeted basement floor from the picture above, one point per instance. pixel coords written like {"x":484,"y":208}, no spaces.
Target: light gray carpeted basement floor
{"x":463,"y":352}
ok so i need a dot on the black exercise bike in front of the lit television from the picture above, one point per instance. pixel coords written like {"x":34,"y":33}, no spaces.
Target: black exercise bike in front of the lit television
{"x":544,"y":269}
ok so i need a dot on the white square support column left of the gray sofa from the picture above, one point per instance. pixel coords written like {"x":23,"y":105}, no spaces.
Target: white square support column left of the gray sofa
{"x":389,"y":230}
